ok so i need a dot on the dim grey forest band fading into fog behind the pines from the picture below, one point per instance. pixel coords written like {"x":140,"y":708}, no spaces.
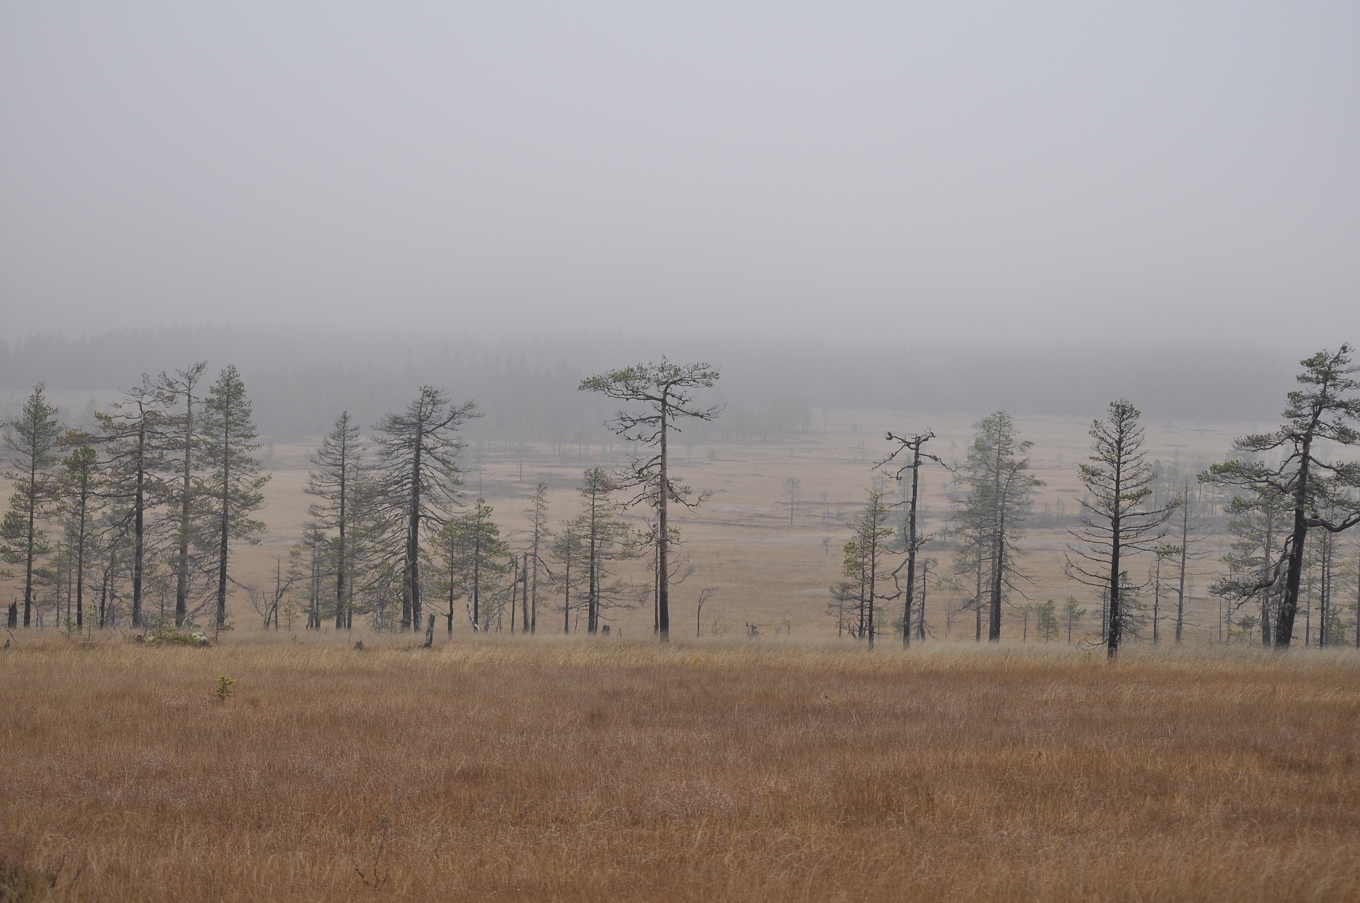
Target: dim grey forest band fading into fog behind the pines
{"x":527,"y":390}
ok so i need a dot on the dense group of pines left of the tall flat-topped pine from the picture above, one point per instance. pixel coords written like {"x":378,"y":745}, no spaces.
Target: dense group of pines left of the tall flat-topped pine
{"x":131,"y":519}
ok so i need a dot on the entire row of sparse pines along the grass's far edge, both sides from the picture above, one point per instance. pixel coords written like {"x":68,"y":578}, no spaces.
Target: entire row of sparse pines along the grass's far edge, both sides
{"x":149,"y":501}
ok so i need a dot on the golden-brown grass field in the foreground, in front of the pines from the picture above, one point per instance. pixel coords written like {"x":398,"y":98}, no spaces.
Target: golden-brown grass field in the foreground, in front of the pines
{"x":576,"y":770}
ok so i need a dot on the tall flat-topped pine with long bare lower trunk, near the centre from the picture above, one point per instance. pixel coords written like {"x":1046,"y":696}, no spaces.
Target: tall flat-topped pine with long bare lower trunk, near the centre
{"x":663,"y":395}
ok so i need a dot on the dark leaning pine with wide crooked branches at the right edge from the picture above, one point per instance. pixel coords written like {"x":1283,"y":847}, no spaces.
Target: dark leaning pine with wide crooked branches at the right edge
{"x":1295,"y":463}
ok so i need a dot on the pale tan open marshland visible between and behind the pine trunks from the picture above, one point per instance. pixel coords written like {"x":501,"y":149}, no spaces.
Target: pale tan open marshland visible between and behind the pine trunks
{"x":741,"y":542}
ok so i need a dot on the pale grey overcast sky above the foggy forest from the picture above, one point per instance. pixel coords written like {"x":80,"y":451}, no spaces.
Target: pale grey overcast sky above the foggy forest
{"x":957,"y":171}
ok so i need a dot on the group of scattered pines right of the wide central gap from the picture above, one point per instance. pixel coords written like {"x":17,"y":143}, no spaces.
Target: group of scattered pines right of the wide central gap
{"x":1286,"y":486}
